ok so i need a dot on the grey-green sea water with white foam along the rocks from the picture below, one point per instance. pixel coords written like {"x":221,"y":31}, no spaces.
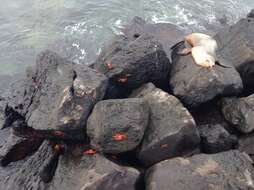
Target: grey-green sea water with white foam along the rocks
{"x":77,"y":29}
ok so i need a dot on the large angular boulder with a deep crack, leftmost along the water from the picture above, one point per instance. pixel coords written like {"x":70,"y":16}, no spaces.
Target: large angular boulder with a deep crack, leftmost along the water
{"x":58,"y":93}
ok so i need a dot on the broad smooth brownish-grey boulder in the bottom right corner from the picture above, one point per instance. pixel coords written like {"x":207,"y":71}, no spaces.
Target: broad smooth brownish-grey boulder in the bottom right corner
{"x":224,"y":171}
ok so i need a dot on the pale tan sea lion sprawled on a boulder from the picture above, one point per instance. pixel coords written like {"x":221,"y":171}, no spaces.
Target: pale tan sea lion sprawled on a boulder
{"x":203,"y":49}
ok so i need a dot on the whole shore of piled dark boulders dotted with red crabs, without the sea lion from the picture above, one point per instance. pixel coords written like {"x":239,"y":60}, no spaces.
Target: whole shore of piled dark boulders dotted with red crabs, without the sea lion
{"x":139,"y":118}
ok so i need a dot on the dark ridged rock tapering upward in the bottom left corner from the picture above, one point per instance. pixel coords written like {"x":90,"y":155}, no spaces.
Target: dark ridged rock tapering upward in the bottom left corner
{"x":24,"y":175}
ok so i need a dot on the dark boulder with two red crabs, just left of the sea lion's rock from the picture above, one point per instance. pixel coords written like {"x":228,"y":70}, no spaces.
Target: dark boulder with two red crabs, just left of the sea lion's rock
{"x":132,"y":63}
